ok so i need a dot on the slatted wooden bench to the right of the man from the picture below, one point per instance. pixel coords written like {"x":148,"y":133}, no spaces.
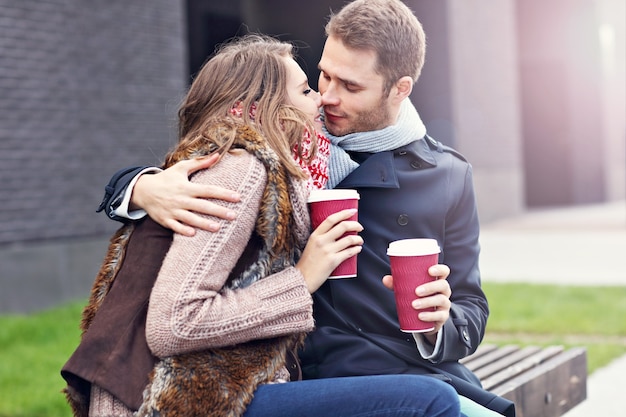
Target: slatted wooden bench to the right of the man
{"x":542,"y":382}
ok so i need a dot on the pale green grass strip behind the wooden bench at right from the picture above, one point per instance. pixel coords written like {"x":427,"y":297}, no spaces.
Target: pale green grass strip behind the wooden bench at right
{"x":542,"y":315}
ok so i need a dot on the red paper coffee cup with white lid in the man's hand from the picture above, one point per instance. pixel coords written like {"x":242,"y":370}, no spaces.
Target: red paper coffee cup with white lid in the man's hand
{"x":410,"y":260}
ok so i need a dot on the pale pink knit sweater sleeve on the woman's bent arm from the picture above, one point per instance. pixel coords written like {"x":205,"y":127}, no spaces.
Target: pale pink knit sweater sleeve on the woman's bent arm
{"x":189,"y":307}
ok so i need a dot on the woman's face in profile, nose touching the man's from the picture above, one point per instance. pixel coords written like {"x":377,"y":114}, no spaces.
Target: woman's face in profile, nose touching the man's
{"x":300,"y":94}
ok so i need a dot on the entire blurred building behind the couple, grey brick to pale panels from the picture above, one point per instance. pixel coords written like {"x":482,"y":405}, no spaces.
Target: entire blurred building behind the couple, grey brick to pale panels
{"x":532,"y":92}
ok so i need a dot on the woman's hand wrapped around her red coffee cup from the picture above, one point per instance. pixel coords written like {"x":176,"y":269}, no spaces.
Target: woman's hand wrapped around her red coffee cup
{"x":328,"y":247}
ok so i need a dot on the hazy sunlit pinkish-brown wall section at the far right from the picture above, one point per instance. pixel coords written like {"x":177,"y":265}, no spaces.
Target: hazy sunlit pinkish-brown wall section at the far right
{"x":572,"y":95}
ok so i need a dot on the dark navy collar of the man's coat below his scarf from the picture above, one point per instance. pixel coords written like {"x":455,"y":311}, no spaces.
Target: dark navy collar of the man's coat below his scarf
{"x":378,"y":169}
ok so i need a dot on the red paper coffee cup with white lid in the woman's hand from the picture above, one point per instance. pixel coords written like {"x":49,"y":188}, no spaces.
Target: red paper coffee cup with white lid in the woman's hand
{"x":323,"y":203}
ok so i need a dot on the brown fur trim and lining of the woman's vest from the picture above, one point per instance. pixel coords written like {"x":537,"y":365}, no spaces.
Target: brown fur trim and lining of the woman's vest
{"x":217,"y":382}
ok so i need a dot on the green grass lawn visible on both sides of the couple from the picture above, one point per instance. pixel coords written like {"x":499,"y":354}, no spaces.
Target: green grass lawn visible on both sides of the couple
{"x":34,"y":347}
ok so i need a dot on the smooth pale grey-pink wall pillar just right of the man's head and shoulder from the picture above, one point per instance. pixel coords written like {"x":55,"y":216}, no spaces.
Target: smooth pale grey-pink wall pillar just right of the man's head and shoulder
{"x":486,"y":107}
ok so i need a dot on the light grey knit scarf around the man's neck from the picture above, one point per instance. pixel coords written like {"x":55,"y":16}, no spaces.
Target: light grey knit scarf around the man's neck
{"x":407,"y":129}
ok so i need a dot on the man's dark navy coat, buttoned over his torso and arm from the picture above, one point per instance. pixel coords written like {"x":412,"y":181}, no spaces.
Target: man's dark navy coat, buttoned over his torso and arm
{"x":423,"y":189}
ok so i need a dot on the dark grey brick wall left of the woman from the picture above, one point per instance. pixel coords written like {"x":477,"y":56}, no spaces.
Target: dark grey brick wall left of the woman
{"x":86,"y":88}
